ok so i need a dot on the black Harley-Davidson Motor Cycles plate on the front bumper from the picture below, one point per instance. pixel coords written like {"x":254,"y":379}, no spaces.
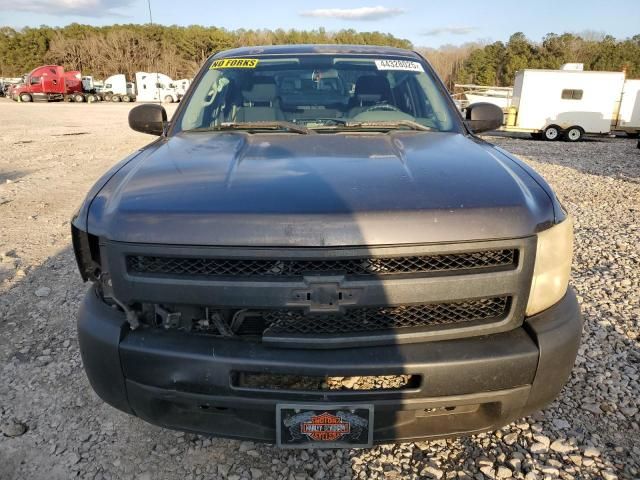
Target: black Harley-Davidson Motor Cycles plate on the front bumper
{"x":324,"y":426}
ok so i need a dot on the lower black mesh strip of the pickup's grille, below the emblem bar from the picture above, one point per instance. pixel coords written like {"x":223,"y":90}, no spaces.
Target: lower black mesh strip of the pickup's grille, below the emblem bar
{"x":291,"y":322}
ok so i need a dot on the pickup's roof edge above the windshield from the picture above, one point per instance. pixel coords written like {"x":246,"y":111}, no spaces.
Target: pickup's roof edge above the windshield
{"x":307,"y":49}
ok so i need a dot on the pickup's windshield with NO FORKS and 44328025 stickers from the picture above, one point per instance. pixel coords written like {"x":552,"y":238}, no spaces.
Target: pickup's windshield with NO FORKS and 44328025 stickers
{"x":329,"y":92}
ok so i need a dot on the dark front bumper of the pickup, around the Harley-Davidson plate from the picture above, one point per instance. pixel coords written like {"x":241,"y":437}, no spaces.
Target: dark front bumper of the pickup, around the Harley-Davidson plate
{"x":469,"y":385}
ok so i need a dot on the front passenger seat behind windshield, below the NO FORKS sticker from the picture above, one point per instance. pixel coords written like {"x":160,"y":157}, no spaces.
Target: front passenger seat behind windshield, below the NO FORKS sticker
{"x":260,"y":103}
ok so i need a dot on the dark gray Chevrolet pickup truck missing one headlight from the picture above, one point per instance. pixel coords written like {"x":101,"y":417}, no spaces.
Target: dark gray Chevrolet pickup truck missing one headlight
{"x":317,"y":251}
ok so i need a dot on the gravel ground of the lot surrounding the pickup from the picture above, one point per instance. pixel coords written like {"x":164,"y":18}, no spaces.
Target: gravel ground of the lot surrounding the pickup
{"x":54,"y":427}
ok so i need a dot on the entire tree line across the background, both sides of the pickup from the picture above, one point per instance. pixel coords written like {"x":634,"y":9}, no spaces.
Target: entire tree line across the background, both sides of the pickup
{"x":179,"y":51}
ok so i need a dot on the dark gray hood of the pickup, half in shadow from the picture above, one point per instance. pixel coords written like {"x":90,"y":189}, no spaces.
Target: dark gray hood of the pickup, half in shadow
{"x":284,"y":189}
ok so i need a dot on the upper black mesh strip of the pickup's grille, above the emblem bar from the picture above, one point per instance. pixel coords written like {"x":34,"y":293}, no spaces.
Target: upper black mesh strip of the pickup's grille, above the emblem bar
{"x":207,"y":267}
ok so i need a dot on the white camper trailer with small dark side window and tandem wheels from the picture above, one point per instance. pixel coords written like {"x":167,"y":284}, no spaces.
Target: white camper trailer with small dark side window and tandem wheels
{"x":568,"y":103}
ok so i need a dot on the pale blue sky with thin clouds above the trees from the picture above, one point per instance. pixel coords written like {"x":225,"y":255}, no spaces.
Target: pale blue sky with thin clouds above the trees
{"x":428,"y":23}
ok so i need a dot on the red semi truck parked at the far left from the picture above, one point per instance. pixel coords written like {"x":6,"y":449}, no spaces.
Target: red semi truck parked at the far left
{"x":51,"y":83}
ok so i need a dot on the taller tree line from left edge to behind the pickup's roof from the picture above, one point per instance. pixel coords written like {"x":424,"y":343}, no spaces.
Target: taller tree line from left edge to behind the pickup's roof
{"x":176,"y":51}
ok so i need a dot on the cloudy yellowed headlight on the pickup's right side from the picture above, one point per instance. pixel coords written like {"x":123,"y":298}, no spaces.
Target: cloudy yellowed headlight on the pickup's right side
{"x":552,"y":268}
